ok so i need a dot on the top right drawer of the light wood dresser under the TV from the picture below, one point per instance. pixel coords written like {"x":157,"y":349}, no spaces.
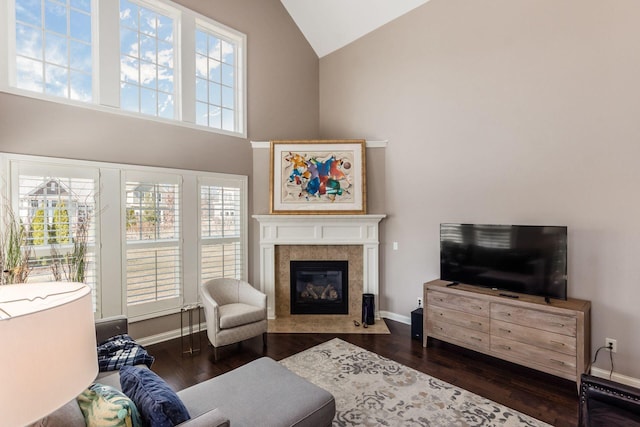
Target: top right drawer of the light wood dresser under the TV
{"x":564,"y":325}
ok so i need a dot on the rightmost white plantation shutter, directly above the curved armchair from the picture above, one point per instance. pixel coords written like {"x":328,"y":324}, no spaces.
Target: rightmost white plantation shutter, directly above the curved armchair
{"x":222,"y":228}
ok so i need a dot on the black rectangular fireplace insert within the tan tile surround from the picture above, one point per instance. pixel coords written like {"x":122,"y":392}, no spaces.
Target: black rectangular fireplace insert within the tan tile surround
{"x":319,"y":287}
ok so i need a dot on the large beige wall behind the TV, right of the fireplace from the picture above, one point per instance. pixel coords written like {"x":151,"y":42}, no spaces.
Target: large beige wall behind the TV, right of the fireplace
{"x":504,"y":111}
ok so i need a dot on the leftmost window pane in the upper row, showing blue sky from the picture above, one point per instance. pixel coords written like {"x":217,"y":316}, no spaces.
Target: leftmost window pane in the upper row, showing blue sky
{"x":53,"y":47}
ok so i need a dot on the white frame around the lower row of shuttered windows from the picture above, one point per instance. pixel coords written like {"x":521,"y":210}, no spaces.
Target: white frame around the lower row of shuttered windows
{"x":111,"y":227}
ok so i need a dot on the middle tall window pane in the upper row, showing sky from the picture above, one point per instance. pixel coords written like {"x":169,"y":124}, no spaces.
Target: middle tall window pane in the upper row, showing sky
{"x":147,"y":55}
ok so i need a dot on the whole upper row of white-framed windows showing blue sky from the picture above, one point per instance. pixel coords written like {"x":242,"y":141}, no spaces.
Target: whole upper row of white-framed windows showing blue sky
{"x":165,"y":62}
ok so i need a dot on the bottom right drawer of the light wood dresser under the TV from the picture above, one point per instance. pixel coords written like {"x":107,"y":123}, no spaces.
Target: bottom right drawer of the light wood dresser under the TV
{"x":533,"y":355}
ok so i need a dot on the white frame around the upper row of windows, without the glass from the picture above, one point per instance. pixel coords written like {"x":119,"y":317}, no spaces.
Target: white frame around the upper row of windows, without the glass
{"x":106,"y":63}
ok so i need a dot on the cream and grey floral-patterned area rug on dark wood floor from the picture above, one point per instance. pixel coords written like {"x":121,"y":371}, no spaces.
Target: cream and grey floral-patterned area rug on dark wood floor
{"x":371,"y":390}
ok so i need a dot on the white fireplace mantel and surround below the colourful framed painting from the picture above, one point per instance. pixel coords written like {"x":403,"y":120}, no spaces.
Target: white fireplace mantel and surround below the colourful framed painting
{"x":318,"y":230}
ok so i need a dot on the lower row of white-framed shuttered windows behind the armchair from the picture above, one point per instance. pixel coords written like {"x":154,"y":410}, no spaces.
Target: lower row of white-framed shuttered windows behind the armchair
{"x":150,"y":235}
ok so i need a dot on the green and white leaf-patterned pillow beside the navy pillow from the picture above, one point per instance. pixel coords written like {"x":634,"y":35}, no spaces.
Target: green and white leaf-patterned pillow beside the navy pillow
{"x":105,"y":406}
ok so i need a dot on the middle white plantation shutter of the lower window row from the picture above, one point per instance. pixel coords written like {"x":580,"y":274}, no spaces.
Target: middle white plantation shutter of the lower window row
{"x":153,"y":243}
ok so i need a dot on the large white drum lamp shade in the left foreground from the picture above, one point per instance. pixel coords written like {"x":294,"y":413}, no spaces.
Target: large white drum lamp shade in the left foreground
{"x":48,"y":354}
